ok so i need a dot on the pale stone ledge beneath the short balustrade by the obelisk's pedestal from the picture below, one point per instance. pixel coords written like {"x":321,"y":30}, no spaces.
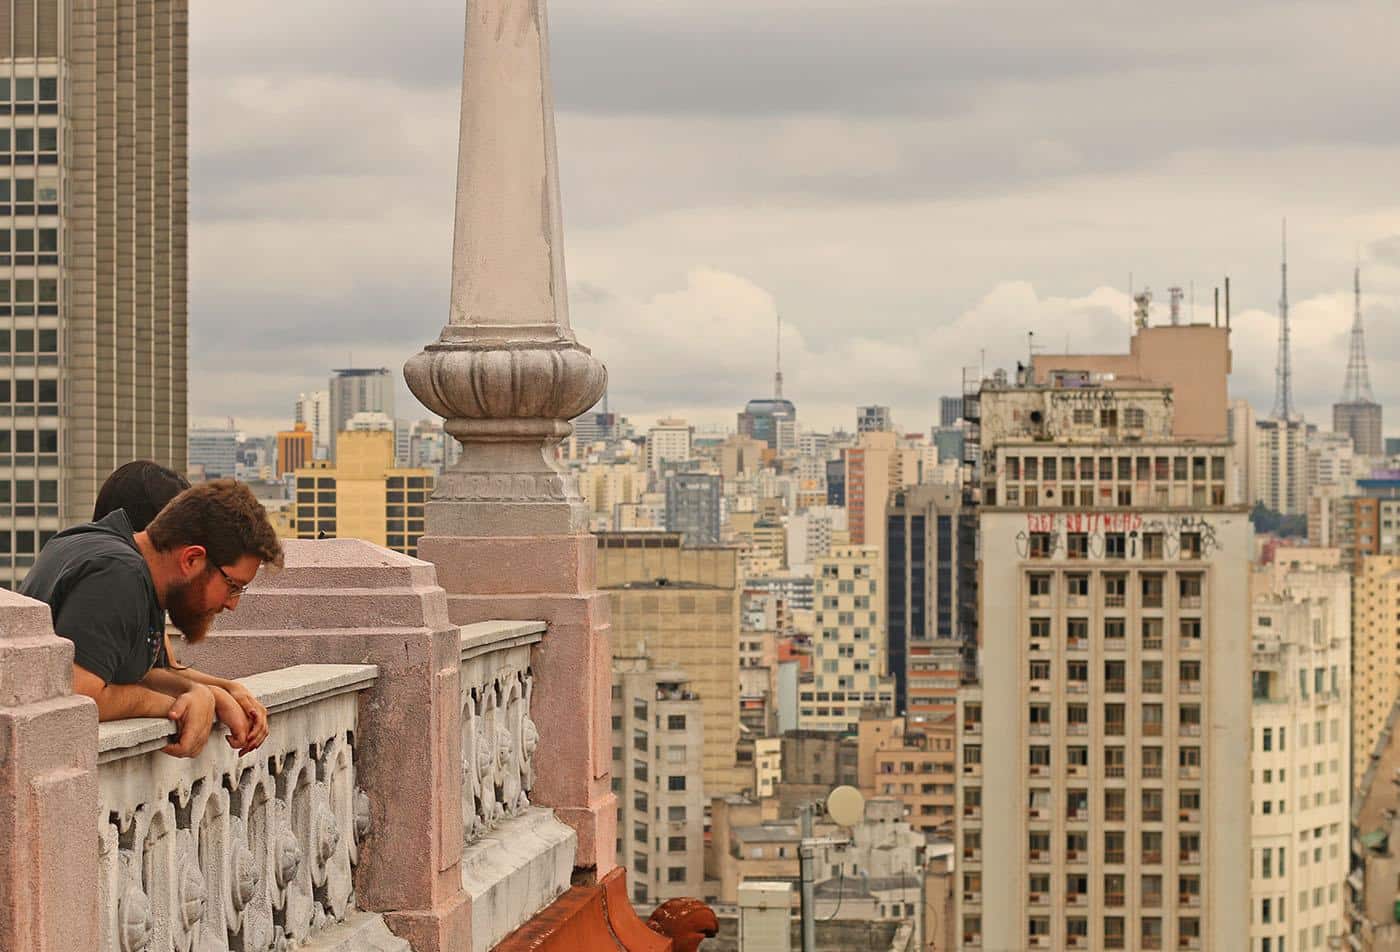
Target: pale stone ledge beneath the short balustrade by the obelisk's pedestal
{"x":514,"y":871}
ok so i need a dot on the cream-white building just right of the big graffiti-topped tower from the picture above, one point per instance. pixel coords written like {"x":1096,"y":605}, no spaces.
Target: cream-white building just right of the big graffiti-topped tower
{"x":1300,"y":755}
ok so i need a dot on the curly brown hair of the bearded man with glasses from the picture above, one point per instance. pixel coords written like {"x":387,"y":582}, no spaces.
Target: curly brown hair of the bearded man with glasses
{"x":225,"y":517}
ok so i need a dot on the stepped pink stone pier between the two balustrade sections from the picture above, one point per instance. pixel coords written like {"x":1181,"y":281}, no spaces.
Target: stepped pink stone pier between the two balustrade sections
{"x":344,"y":601}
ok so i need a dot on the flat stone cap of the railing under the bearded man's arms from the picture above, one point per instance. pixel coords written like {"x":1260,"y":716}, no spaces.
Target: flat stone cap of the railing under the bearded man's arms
{"x":279,"y":691}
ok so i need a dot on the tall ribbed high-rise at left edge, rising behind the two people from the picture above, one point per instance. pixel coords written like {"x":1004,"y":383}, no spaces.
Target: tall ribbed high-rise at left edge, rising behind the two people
{"x":93,"y":260}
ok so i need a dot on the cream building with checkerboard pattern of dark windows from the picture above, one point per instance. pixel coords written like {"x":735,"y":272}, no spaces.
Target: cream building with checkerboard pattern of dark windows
{"x":849,"y":664}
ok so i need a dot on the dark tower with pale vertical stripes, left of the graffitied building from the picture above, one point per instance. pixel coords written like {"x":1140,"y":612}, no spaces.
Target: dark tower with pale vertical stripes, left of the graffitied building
{"x":930,"y":597}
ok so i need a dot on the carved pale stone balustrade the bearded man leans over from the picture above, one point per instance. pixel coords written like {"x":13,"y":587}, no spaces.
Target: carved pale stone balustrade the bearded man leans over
{"x":234,"y":853}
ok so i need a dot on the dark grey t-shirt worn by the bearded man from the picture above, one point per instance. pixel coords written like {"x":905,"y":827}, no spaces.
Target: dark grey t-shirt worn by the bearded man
{"x":100,"y":590}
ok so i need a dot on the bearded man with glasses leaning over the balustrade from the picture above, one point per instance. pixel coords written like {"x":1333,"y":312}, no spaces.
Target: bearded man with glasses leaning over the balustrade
{"x":110,"y":589}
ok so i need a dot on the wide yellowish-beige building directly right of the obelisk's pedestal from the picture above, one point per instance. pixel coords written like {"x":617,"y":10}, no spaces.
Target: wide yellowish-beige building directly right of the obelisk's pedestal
{"x":680,"y":608}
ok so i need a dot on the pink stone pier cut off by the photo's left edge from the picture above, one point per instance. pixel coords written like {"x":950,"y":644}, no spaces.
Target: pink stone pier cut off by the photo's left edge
{"x":48,"y":789}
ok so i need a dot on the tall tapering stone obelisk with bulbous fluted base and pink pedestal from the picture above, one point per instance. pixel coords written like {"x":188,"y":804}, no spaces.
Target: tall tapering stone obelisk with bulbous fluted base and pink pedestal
{"x":506,"y":526}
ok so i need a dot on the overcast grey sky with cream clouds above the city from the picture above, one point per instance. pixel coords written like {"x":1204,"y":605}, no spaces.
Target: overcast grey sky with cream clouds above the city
{"x":915,"y":185}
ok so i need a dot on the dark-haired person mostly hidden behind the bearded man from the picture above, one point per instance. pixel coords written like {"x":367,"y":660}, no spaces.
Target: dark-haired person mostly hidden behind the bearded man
{"x":142,"y":489}
